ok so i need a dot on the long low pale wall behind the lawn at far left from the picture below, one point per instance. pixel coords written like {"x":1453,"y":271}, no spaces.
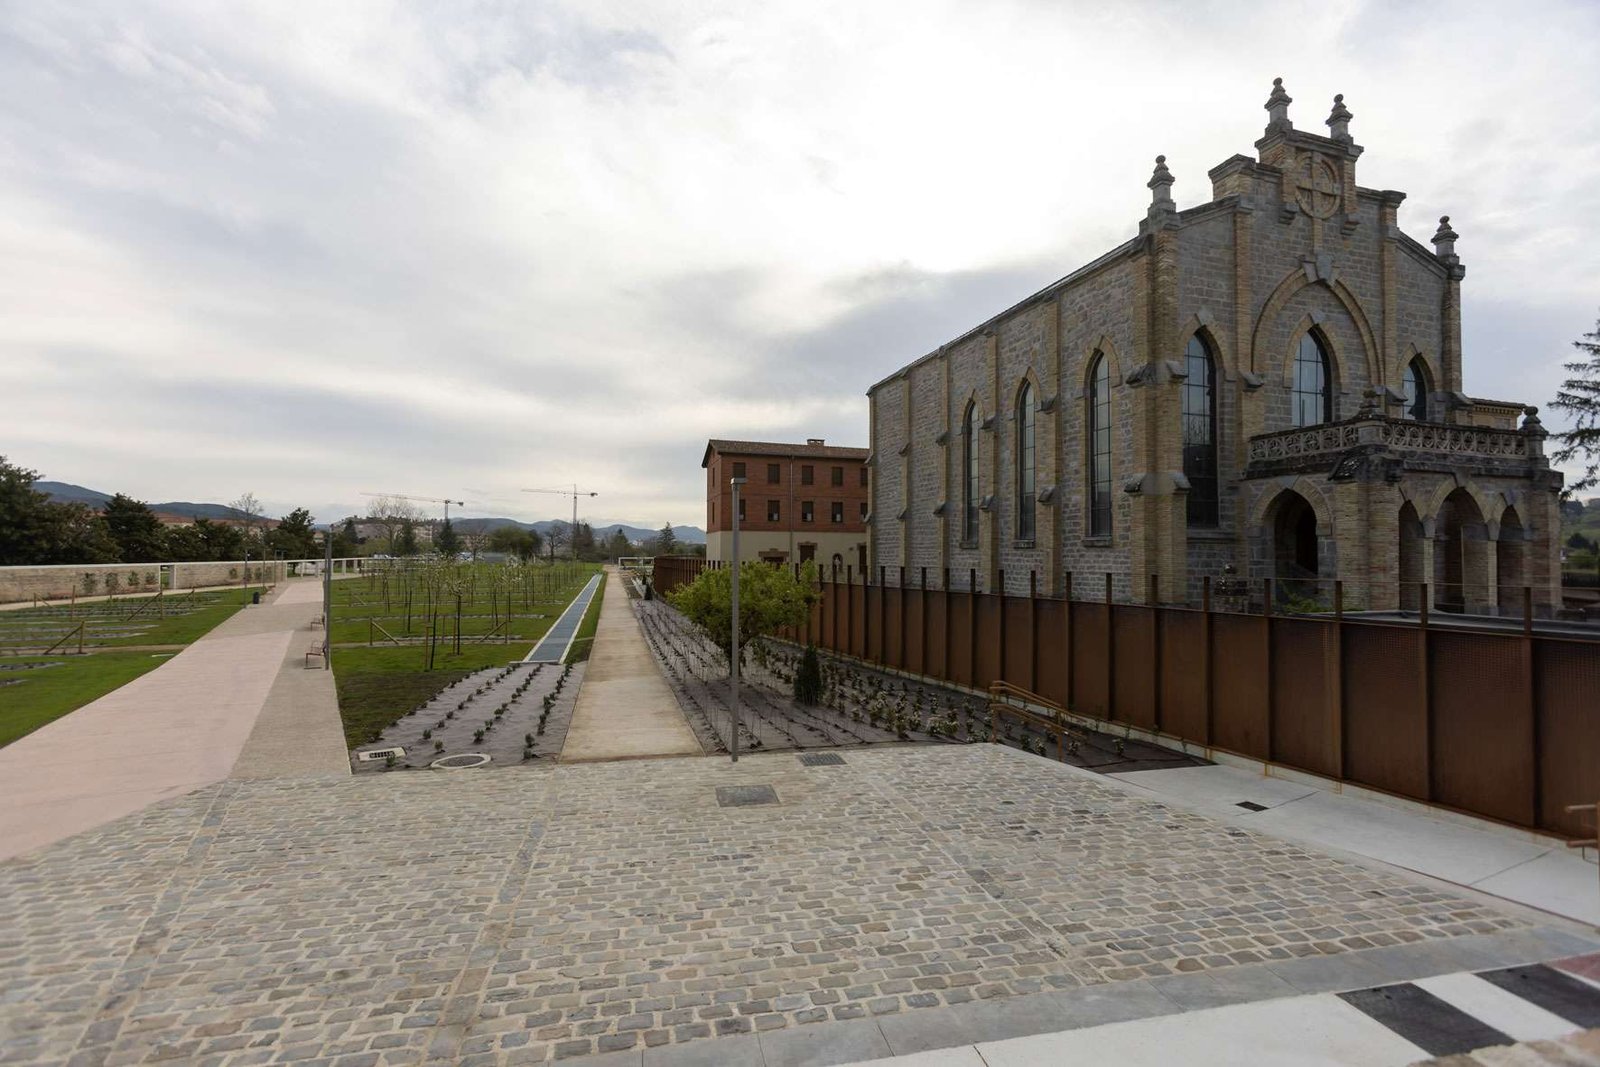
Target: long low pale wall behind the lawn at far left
{"x":90,"y":580}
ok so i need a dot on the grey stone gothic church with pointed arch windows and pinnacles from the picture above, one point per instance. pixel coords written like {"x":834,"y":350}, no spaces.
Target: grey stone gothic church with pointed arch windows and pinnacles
{"x":1271,"y":380}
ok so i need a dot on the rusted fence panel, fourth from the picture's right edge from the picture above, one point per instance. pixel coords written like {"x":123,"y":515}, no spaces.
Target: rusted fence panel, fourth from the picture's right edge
{"x":1305,"y":717}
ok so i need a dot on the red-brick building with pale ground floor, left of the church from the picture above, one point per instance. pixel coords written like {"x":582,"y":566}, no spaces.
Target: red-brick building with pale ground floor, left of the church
{"x":799,"y":503}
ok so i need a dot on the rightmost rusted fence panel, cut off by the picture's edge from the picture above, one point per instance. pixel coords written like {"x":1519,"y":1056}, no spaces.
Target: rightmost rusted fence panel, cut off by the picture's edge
{"x":1567,"y":677}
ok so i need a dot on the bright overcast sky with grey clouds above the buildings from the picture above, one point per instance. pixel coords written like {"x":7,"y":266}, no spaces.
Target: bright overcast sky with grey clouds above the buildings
{"x":452,"y":249}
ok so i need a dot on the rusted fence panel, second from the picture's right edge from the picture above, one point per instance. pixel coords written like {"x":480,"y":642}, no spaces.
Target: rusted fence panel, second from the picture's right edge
{"x":1482,"y":745}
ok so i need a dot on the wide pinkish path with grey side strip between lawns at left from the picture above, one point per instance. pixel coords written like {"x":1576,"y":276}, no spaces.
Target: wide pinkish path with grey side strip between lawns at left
{"x":242,"y":689}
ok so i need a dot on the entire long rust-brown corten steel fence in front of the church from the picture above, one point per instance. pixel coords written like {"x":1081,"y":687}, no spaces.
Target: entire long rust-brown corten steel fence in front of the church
{"x":1502,"y":724}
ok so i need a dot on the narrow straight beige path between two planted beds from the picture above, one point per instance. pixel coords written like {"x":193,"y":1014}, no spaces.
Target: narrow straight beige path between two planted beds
{"x":625,"y":711}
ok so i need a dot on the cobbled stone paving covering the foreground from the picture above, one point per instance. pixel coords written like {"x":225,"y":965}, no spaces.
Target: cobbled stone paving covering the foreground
{"x":553,"y":913}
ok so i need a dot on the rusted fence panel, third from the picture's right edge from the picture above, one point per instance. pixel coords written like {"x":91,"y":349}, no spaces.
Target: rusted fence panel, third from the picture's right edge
{"x":1386,"y":709}
